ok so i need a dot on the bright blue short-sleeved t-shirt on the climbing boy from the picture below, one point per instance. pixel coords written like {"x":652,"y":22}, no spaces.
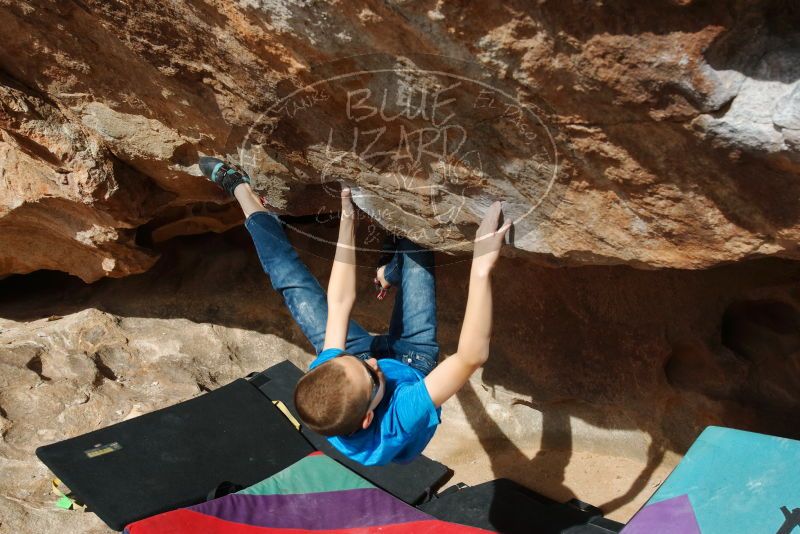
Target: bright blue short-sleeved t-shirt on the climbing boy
{"x":404,"y":422}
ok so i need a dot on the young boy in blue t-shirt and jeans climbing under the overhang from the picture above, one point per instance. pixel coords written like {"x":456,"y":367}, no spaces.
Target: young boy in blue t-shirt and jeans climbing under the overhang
{"x":376,"y":397}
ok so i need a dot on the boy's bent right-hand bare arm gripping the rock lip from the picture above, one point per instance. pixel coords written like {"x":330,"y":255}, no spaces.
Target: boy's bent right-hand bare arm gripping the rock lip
{"x":473,"y":344}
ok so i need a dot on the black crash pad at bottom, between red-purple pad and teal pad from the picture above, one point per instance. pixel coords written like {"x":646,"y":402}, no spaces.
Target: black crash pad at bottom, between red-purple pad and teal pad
{"x":505,"y":506}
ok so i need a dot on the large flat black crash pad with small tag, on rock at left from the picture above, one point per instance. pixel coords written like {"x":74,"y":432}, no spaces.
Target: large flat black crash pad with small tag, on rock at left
{"x":173,"y":457}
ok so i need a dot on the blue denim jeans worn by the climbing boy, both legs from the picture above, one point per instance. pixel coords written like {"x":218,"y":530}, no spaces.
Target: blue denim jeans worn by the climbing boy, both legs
{"x":411,"y":338}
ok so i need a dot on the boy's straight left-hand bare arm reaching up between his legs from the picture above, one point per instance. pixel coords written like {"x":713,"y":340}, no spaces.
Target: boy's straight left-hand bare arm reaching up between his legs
{"x":342,"y":284}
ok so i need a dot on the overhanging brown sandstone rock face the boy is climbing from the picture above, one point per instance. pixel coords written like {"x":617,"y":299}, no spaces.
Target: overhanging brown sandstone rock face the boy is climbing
{"x":653,"y":134}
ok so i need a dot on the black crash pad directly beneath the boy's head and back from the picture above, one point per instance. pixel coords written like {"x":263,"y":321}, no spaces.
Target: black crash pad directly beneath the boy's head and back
{"x":412,"y":483}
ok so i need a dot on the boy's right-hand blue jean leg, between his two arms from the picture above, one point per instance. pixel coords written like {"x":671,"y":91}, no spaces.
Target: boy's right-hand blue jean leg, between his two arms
{"x":412,"y":331}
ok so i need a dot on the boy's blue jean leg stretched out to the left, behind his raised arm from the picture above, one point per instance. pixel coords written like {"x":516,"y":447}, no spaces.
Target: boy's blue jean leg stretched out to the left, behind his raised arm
{"x":302,"y":293}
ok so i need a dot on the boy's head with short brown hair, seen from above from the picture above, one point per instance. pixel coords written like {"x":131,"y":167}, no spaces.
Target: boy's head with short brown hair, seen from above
{"x":338,"y":397}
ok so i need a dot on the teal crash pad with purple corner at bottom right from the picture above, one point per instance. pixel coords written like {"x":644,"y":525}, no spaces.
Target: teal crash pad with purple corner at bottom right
{"x":729,"y":481}
